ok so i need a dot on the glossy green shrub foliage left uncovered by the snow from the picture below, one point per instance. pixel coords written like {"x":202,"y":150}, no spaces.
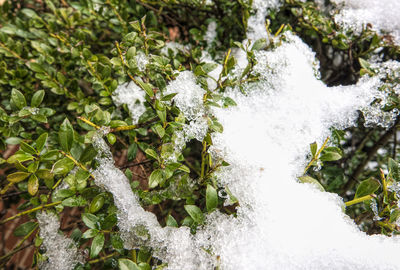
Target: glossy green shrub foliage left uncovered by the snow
{"x":61,"y":61}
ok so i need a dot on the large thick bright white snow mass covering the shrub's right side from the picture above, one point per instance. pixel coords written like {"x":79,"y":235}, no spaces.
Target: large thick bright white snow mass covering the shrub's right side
{"x":282,"y":224}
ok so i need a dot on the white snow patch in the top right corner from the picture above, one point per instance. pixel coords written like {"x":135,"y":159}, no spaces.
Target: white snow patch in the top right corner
{"x":381,"y":14}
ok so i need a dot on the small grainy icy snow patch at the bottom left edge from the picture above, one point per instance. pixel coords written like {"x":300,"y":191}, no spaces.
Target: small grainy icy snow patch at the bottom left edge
{"x":61,"y":251}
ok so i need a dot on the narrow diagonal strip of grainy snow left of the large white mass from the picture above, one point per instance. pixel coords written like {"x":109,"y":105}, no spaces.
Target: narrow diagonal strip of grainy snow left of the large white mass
{"x":177,"y":247}
